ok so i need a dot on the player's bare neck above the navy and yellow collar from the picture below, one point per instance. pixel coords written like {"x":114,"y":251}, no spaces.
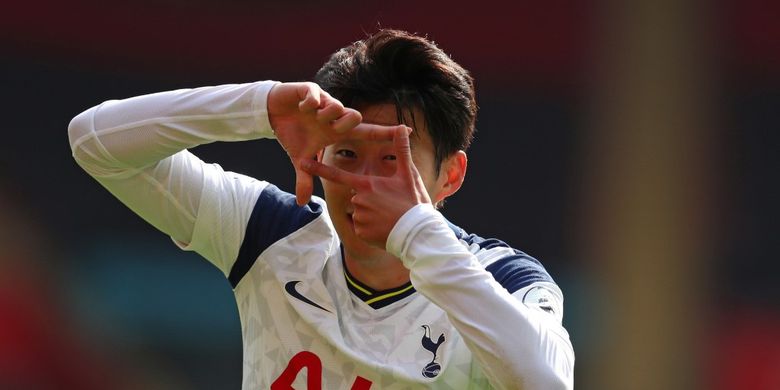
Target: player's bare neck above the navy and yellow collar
{"x":382,"y":271}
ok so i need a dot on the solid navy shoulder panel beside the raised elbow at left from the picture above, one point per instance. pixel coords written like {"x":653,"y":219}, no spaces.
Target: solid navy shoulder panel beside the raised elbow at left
{"x":275,"y":216}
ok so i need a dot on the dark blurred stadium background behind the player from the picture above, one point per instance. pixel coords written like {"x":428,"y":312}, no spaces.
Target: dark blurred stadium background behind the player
{"x":102,"y":298}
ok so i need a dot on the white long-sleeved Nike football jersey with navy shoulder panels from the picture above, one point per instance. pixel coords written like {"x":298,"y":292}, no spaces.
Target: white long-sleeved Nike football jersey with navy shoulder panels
{"x":477,"y":313}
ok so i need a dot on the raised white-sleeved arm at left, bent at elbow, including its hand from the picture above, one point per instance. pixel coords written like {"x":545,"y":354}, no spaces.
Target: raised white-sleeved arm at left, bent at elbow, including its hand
{"x":136,"y":148}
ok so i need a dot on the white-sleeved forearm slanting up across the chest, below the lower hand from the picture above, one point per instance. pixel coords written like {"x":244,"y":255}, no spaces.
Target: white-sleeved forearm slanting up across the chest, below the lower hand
{"x":515,"y":345}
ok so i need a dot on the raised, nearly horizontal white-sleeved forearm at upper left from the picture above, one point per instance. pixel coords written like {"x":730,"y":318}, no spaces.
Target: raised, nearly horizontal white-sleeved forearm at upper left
{"x":133,"y":133}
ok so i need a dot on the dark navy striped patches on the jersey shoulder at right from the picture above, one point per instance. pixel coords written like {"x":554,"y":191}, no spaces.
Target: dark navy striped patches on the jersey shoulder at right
{"x":513,"y":272}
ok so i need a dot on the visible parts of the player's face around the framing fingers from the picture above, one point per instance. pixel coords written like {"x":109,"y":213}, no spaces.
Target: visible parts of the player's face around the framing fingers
{"x":375,"y":158}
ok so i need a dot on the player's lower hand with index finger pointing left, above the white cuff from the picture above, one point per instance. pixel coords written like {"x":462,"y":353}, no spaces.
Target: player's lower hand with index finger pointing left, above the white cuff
{"x":379,"y":201}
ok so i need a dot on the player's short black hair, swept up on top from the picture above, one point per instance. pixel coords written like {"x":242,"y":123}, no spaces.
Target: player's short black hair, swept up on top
{"x":409,"y":71}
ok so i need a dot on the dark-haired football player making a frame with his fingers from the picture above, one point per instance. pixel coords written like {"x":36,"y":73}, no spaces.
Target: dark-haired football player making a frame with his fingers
{"x":372,"y":287}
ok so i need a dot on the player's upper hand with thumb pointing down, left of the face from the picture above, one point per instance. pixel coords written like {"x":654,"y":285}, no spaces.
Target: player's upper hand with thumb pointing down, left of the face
{"x":306,"y":119}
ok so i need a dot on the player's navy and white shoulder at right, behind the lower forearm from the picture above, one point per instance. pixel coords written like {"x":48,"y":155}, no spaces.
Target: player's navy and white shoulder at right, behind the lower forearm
{"x":512,"y":268}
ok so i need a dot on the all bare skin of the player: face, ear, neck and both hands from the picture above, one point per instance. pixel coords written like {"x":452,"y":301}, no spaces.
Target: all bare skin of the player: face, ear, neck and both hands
{"x":372,"y":172}
